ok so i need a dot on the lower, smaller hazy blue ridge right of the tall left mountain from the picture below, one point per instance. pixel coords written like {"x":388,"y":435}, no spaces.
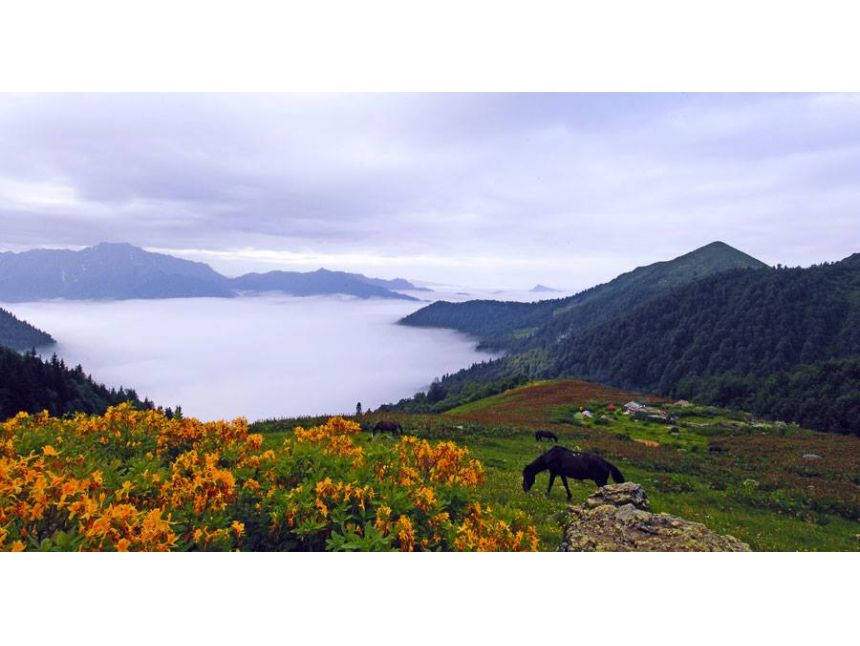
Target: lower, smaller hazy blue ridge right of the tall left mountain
{"x":321,"y":281}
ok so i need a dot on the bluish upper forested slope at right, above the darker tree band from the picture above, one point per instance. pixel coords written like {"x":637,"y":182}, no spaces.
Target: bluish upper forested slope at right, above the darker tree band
{"x":748,"y":322}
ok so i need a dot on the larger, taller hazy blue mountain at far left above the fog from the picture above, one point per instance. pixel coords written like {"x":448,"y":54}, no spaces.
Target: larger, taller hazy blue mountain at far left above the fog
{"x":104,"y":271}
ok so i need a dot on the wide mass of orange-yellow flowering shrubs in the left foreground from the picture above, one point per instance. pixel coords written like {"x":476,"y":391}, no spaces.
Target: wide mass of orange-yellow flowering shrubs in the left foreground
{"x":135,"y":480}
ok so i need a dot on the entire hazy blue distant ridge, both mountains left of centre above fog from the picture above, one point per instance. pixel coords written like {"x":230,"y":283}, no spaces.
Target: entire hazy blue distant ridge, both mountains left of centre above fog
{"x":123,"y":271}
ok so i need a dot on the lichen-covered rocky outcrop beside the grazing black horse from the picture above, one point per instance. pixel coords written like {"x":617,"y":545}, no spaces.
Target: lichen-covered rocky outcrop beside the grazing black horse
{"x":617,"y":518}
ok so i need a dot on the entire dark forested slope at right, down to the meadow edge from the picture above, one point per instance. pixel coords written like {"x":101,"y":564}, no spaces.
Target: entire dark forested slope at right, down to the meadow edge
{"x":750,"y":339}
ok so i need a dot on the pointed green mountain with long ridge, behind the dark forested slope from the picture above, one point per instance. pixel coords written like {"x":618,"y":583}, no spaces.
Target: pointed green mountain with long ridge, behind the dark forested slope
{"x":515,"y":326}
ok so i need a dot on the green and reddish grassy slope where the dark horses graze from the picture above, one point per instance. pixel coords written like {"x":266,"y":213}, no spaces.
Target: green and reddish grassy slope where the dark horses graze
{"x":757,"y":488}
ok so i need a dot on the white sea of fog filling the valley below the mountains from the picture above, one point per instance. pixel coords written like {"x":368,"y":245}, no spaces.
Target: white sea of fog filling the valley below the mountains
{"x":255,"y":357}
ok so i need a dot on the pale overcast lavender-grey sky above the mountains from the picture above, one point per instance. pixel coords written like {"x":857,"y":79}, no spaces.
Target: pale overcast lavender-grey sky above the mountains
{"x":481,"y":190}
